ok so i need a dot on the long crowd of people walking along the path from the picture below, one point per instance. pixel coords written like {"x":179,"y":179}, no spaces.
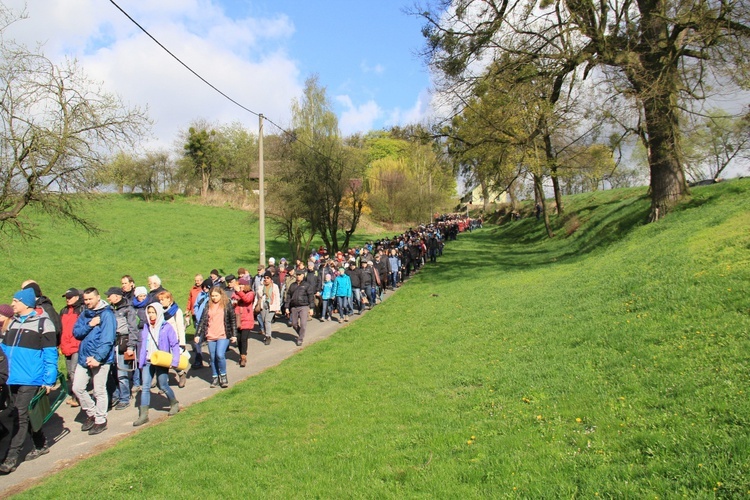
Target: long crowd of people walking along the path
{"x":117,"y":350}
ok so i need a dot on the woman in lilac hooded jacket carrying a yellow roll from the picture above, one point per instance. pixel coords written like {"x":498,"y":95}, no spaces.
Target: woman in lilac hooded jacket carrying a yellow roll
{"x":157,"y":335}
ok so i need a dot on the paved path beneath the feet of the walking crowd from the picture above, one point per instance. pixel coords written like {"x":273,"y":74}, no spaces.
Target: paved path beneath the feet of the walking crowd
{"x":68,"y":444}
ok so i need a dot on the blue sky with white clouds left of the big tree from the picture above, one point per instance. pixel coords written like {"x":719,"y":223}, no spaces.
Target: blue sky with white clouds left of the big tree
{"x":258,"y":52}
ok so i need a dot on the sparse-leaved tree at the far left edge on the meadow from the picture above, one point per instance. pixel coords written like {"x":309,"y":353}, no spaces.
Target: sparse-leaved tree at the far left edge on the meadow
{"x":57,"y":128}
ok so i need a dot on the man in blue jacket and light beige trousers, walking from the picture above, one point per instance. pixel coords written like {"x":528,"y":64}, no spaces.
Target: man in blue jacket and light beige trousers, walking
{"x":96,"y":328}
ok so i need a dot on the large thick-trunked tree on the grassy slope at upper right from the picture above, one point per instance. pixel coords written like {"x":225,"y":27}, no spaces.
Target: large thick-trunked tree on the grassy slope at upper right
{"x":655,"y":51}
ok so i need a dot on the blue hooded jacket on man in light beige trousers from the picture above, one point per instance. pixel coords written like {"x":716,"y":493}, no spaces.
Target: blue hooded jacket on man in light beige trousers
{"x":96,"y":341}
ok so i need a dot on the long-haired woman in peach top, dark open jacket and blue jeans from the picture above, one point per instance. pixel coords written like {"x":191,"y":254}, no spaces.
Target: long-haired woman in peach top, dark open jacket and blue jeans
{"x":217,"y":326}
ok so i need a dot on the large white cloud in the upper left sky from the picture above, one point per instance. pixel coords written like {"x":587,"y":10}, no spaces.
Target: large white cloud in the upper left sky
{"x":240,"y":57}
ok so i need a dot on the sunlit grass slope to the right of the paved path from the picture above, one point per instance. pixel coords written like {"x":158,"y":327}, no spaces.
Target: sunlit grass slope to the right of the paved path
{"x":610,"y":362}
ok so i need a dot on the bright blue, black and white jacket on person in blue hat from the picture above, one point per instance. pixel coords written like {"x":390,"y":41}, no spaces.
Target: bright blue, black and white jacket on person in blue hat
{"x":31,"y":347}
